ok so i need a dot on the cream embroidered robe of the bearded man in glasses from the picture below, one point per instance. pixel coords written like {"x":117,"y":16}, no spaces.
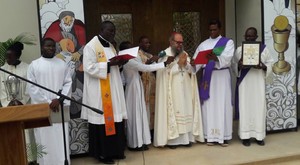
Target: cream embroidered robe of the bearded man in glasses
{"x":177,"y":105}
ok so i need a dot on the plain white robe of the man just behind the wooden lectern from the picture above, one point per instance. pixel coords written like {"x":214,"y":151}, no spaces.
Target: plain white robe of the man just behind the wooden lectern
{"x":51,"y":73}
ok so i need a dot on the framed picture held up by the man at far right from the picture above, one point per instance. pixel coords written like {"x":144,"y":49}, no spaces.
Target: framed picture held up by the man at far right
{"x":251,"y":53}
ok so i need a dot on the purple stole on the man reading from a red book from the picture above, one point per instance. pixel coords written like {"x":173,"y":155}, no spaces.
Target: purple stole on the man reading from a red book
{"x":205,"y":80}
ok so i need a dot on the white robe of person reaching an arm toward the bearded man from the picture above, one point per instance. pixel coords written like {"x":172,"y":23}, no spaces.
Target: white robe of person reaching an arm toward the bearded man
{"x":138,"y":132}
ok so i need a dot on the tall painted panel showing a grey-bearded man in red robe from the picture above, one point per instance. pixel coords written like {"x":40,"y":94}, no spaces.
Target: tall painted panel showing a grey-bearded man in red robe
{"x":63,"y":21}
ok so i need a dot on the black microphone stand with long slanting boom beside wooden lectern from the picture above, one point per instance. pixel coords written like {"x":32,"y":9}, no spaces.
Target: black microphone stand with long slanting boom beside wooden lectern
{"x":61,"y":100}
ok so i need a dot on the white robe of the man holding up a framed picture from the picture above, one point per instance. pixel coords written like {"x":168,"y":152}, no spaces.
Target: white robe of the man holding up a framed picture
{"x":252,"y":98}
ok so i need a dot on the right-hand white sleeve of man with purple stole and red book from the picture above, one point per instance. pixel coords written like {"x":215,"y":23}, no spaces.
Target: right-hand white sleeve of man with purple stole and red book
{"x":226,"y":56}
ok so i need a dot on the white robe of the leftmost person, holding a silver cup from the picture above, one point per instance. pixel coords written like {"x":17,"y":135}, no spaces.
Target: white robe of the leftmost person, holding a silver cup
{"x":20,"y":70}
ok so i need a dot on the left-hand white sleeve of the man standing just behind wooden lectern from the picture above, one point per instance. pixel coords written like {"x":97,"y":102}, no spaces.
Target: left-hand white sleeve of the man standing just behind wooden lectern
{"x":34,"y":91}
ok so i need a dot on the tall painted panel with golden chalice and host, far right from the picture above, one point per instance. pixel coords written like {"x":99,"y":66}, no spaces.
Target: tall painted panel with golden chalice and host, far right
{"x":280,"y":38}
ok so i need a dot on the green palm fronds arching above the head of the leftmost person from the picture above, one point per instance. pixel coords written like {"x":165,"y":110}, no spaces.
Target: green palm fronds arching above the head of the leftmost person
{"x":25,"y":38}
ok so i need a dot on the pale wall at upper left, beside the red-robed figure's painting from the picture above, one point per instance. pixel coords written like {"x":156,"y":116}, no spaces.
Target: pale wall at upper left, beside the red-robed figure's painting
{"x":19,"y":16}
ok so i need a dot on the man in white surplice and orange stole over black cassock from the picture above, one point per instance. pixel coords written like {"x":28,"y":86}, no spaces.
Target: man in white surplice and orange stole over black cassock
{"x":103,"y":90}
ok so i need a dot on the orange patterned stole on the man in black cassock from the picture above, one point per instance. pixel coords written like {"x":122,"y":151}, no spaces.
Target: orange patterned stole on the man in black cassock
{"x":106,"y":94}
